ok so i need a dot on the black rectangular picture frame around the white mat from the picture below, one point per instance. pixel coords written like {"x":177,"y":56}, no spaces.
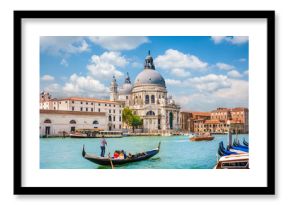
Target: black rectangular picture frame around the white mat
{"x":269,"y":16}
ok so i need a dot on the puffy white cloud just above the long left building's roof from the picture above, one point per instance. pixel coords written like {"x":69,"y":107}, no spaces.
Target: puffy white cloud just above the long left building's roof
{"x":84,"y":86}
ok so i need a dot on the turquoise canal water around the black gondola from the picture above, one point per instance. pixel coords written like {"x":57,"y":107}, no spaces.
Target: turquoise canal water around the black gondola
{"x":176,"y":152}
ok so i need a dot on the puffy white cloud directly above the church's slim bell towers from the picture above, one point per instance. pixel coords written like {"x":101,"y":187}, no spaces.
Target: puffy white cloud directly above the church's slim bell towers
{"x":104,"y":66}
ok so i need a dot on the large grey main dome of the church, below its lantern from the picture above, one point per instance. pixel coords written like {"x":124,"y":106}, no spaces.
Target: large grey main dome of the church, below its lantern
{"x":150,"y":76}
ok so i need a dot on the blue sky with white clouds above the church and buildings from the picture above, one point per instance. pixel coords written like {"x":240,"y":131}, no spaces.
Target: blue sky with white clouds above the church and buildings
{"x":201,"y":72}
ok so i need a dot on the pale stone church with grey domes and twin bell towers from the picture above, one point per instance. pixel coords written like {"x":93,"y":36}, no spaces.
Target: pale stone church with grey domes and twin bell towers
{"x":147,"y":97}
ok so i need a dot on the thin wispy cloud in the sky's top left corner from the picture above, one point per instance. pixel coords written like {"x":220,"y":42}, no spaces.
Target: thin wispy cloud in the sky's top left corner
{"x":63,"y":45}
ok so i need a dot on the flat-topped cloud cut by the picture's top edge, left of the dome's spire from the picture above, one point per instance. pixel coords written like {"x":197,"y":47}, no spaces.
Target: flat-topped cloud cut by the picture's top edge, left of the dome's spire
{"x":118,"y":43}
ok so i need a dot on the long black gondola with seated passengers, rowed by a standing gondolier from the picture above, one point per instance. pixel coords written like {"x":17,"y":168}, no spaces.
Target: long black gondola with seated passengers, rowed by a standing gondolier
{"x":109,"y":160}
